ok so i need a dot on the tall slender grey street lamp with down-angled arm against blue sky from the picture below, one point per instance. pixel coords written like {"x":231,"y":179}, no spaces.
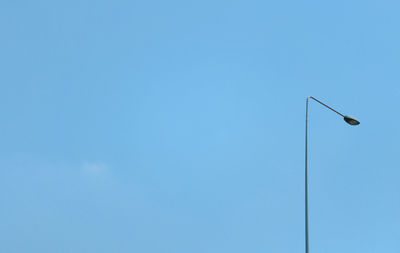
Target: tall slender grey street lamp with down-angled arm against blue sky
{"x":350,"y":120}
